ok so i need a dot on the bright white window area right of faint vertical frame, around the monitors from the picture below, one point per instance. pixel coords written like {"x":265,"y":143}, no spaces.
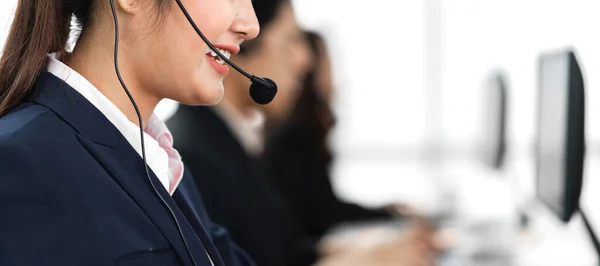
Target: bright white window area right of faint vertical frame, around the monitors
{"x":510,"y":34}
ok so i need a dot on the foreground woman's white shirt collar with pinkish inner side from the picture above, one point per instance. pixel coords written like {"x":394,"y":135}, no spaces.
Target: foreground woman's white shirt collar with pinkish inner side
{"x":161,"y":157}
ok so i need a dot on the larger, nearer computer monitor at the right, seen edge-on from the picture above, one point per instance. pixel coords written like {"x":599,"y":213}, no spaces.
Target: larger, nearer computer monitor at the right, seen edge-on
{"x":560,"y":133}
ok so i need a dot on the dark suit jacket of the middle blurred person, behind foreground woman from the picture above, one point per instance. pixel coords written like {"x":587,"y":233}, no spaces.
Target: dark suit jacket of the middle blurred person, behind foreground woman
{"x":236,"y":193}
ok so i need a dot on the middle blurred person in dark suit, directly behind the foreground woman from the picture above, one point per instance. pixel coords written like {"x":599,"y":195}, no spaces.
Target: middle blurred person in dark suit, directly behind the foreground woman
{"x":225,"y":143}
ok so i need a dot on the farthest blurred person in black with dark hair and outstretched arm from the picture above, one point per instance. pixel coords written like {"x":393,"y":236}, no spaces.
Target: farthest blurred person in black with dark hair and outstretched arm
{"x":298,"y":159}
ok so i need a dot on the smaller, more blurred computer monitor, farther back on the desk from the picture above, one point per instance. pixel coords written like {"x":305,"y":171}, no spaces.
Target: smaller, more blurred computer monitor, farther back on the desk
{"x":494,"y":120}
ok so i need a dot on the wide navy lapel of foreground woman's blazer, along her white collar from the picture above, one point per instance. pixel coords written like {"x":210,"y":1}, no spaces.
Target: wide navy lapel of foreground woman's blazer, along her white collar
{"x":119,"y":159}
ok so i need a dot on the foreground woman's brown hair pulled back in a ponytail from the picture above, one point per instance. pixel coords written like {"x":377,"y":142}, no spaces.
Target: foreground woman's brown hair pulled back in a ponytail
{"x":39,"y":27}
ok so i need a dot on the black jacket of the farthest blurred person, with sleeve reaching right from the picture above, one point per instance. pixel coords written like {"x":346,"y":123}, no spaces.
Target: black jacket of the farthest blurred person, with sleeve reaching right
{"x":294,"y":168}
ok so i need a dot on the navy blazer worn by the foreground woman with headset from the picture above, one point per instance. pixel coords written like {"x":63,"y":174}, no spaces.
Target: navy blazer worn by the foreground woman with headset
{"x":74,"y":192}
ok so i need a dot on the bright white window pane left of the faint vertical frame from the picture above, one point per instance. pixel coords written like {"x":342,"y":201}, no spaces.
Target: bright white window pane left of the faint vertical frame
{"x":378,"y":51}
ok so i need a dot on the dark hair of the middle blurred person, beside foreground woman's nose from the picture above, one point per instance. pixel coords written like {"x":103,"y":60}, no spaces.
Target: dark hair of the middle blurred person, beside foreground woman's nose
{"x":266,"y":12}
